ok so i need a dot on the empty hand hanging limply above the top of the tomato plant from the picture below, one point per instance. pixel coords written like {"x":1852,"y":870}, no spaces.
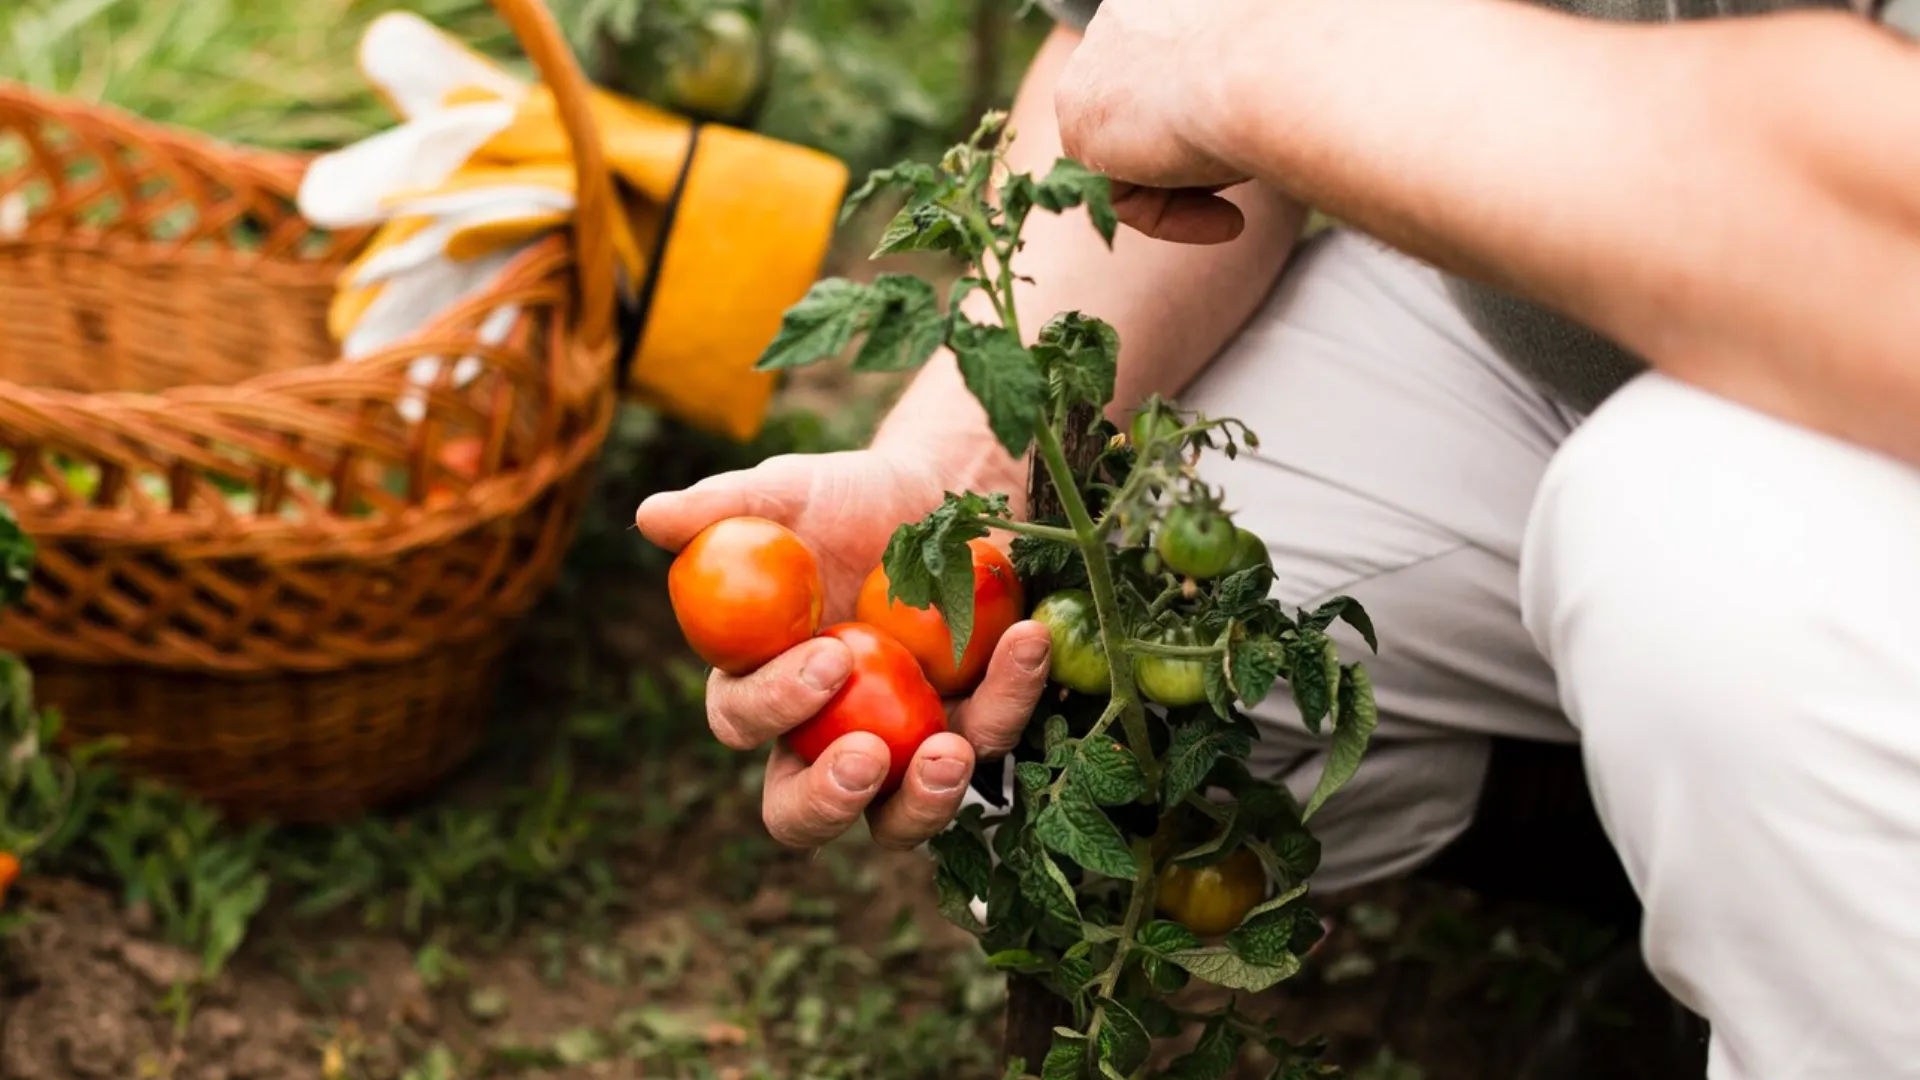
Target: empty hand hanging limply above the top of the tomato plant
{"x":1132,"y":107}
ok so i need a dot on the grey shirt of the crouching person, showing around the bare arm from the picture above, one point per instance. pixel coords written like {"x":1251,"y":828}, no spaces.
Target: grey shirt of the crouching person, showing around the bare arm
{"x":1572,"y":362}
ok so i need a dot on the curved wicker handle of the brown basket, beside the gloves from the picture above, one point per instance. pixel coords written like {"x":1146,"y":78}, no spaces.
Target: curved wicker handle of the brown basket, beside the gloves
{"x":594,"y":220}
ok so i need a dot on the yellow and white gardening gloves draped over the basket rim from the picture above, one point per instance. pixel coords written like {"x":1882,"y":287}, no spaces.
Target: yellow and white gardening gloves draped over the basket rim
{"x":719,"y":230}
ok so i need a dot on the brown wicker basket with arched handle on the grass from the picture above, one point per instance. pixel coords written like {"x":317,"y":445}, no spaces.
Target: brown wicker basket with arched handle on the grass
{"x":252,"y":568}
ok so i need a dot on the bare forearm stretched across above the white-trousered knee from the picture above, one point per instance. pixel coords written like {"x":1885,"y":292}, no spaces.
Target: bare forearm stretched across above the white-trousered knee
{"x":1735,"y":201}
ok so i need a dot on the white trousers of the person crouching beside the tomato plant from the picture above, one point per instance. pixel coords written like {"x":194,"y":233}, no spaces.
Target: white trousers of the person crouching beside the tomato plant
{"x":1721,"y":608}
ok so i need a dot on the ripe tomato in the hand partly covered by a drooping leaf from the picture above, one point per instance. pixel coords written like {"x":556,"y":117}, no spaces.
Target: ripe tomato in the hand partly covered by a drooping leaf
{"x":997,"y":604}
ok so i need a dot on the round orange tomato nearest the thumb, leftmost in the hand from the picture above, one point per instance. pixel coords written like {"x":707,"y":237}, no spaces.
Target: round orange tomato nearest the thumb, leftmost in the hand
{"x":746,"y":591}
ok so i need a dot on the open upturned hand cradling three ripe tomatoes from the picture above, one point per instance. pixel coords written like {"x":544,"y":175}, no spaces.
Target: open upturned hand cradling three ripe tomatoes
{"x":846,"y":506}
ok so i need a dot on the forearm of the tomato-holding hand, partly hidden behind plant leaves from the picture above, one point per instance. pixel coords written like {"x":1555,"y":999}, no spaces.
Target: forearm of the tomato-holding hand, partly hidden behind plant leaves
{"x":1174,"y":307}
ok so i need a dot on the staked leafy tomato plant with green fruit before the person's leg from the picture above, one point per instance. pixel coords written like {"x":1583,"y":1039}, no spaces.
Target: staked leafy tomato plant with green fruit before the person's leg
{"x":1145,"y":581}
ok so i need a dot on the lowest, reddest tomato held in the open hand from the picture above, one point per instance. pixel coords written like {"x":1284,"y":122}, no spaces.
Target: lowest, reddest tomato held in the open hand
{"x":886,"y":697}
